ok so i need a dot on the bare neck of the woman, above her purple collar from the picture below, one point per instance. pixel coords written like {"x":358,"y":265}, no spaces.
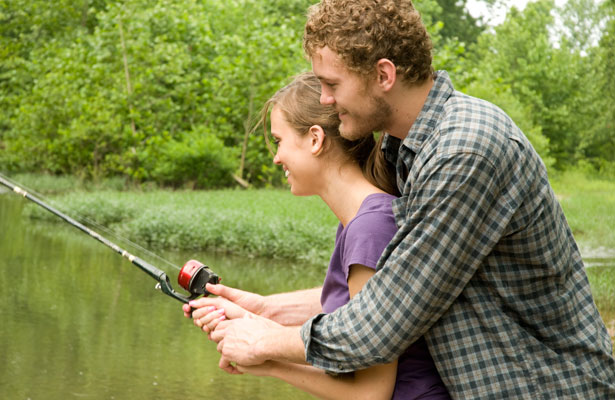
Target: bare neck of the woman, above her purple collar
{"x":344,"y":190}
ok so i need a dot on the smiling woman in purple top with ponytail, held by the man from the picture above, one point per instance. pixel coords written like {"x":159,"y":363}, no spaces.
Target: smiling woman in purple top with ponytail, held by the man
{"x":355,"y":182}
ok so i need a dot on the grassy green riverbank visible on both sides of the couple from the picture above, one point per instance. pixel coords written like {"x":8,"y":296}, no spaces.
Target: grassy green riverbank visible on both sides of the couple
{"x":272,"y":222}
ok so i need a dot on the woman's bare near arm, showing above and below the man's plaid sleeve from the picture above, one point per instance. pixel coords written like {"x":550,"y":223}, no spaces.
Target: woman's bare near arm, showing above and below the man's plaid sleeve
{"x":376,"y":382}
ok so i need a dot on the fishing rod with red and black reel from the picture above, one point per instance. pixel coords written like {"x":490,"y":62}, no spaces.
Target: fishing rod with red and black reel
{"x":193,"y":276}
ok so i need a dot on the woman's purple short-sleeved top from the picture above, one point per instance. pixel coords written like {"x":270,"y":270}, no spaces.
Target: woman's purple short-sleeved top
{"x":362,"y":241}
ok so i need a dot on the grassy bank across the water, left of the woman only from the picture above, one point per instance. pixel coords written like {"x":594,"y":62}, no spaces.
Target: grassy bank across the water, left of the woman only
{"x":263,"y":223}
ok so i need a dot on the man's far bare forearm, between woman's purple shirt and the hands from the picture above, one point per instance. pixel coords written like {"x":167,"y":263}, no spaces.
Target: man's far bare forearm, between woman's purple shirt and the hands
{"x":294,"y":308}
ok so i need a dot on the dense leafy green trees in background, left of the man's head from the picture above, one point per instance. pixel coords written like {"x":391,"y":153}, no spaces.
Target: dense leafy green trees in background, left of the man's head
{"x":152,"y":90}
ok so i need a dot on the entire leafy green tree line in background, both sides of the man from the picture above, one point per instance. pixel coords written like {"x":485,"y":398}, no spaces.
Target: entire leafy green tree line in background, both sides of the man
{"x":167,"y":92}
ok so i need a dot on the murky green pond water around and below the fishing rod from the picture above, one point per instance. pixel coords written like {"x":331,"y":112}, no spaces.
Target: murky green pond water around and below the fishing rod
{"x":79,"y":321}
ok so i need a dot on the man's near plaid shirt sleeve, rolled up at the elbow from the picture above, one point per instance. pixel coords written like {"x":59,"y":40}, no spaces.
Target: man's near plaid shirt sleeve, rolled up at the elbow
{"x":453,"y":218}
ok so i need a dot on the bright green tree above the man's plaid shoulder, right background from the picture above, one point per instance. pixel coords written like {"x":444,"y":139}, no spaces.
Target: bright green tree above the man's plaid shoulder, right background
{"x":548,"y":79}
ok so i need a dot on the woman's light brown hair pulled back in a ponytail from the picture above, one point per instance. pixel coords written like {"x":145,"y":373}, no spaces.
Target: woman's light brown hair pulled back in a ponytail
{"x":299,"y":102}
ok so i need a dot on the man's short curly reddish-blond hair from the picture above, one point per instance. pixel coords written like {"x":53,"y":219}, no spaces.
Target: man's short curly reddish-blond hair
{"x":363,"y":31}
